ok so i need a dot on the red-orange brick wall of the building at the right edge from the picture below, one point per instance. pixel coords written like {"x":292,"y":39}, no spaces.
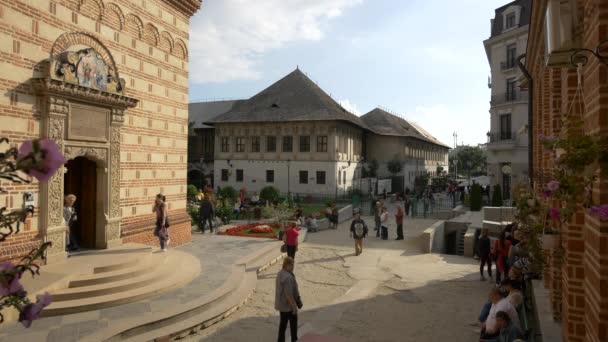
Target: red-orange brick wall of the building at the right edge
{"x":579,"y":284}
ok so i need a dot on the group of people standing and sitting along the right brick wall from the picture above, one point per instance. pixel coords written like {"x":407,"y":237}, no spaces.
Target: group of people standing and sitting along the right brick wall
{"x":499,"y":319}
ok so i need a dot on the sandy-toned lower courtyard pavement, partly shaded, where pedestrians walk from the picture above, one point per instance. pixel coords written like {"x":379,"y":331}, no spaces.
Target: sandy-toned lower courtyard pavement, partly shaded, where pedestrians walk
{"x":391,"y":292}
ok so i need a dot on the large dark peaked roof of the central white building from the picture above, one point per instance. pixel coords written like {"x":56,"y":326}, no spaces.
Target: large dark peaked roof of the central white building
{"x":295,"y":97}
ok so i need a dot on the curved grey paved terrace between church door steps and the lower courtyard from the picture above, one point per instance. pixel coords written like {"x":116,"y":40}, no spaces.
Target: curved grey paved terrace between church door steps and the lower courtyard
{"x":216,"y":253}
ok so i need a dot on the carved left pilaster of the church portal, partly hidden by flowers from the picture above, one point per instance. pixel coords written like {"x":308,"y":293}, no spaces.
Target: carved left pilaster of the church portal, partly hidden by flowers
{"x":51,"y":206}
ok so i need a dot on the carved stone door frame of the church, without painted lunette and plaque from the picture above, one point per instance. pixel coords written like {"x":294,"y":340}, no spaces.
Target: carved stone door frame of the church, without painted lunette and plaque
{"x":57,"y":92}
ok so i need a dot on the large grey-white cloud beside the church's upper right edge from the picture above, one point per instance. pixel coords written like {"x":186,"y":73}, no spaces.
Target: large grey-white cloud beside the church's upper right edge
{"x":228,"y":37}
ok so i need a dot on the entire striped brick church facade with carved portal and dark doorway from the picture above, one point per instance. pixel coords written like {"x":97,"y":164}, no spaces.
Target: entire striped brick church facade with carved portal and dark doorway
{"x":108,"y":82}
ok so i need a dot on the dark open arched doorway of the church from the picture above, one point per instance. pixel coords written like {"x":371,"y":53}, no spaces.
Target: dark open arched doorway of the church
{"x":81,"y":181}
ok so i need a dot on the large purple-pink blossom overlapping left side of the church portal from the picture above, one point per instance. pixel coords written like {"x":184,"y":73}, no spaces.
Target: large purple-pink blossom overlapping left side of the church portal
{"x":40,"y":158}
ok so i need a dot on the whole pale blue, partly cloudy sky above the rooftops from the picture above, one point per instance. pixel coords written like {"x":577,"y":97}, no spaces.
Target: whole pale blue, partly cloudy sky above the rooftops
{"x":421,"y":59}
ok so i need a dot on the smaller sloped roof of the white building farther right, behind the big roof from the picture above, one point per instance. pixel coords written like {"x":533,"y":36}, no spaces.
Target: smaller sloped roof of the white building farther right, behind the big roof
{"x":381,"y":122}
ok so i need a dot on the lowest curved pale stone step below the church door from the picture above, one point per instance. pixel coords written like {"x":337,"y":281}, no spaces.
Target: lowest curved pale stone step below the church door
{"x":178,"y":269}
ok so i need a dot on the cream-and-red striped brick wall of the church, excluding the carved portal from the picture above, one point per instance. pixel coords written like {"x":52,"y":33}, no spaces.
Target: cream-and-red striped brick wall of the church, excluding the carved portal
{"x":148,"y":41}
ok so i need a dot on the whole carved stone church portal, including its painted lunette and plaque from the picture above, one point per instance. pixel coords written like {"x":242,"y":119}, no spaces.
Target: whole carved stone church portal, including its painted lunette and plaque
{"x":85,"y":106}
